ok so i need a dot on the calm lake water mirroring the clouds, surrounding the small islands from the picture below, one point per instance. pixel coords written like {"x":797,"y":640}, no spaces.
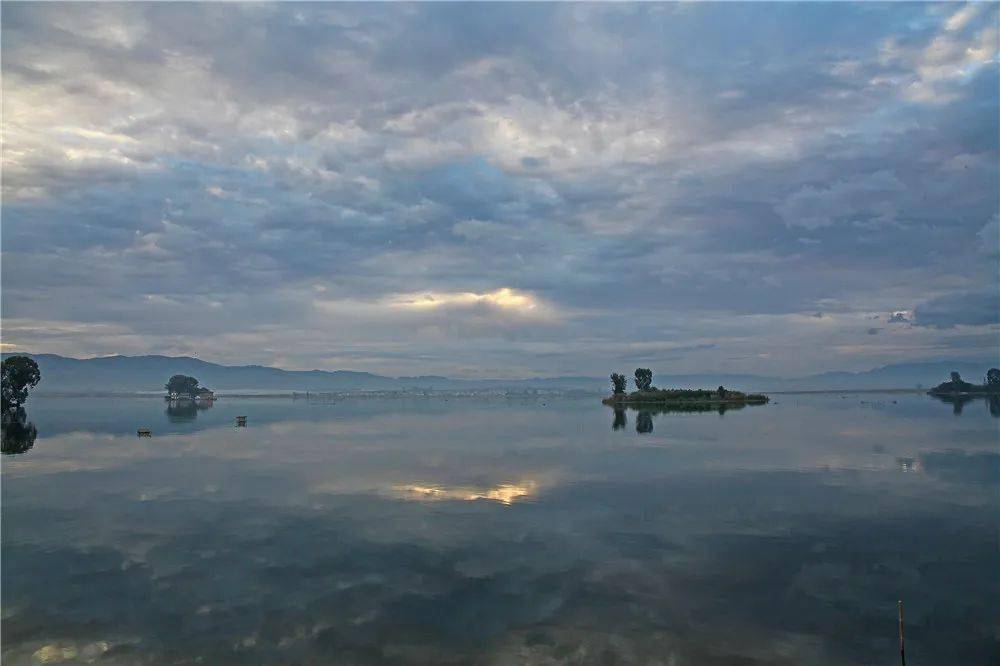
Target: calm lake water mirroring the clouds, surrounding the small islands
{"x":503,"y":532}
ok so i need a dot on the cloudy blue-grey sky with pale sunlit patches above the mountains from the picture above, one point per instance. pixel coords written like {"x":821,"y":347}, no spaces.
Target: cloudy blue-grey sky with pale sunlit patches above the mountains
{"x":503,"y":190}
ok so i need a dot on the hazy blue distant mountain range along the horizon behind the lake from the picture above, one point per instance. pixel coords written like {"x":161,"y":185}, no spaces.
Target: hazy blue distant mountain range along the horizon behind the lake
{"x":150,"y":373}
